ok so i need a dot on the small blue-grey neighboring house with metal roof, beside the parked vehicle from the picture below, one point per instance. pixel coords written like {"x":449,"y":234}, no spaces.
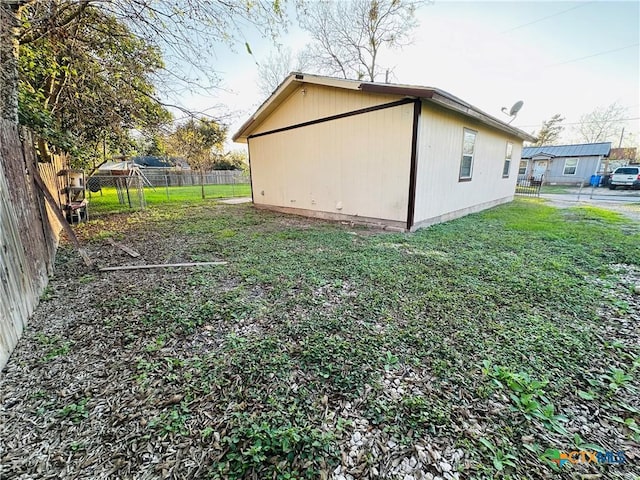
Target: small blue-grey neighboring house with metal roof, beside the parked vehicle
{"x":564,"y":164}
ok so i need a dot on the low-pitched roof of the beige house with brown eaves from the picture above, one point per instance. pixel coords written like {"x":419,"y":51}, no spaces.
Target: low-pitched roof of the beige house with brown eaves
{"x":428,"y":94}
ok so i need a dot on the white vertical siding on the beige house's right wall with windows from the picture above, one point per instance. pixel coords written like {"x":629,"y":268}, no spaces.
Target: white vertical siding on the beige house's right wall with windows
{"x":439,"y":193}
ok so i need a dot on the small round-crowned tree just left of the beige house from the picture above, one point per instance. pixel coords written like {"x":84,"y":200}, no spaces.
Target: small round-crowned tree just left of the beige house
{"x":199,"y":142}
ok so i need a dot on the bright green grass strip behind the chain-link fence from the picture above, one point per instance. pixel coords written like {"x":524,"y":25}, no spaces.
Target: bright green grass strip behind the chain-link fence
{"x":107,"y":202}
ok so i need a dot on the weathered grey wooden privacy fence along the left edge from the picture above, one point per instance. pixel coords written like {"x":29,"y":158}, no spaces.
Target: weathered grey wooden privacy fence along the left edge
{"x":29,"y":233}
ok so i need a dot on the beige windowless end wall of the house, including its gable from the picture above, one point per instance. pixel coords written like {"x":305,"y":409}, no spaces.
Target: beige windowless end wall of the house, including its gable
{"x":353,"y":166}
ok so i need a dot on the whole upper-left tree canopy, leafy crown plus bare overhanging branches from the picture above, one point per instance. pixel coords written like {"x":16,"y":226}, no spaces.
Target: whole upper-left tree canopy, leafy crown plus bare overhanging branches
{"x":81,"y":71}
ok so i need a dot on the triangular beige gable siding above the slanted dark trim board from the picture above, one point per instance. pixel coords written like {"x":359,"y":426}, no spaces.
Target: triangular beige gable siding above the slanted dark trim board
{"x":311,"y":102}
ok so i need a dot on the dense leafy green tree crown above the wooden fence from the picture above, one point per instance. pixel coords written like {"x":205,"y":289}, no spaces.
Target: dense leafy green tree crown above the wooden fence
{"x":88,"y":82}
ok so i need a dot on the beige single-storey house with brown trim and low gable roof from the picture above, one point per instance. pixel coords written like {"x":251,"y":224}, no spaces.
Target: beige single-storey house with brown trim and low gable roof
{"x":401,"y":156}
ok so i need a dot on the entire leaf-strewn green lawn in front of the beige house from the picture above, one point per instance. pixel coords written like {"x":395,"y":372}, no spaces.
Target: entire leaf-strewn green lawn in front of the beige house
{"x":470,"y":349}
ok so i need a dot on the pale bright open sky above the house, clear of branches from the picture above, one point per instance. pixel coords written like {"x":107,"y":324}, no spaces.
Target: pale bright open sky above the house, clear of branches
{"x":558,"y":57}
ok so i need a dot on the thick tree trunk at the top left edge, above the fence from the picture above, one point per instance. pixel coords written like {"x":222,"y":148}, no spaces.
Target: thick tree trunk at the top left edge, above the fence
{"x":9,"y":60}
